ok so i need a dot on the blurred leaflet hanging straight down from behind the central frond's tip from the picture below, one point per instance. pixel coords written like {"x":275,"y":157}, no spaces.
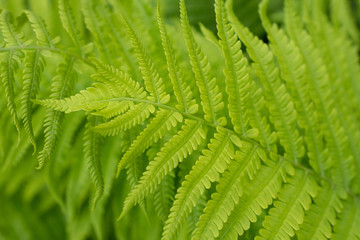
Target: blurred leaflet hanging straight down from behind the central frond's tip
{"x":92,"y":155}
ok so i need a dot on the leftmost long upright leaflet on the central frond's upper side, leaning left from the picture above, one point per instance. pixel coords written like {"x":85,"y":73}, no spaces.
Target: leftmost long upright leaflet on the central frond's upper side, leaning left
{"x":153,"y":82}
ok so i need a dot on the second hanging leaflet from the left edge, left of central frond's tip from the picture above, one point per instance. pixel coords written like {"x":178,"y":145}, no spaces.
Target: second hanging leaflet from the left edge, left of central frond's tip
{"x":34,"y":65}
